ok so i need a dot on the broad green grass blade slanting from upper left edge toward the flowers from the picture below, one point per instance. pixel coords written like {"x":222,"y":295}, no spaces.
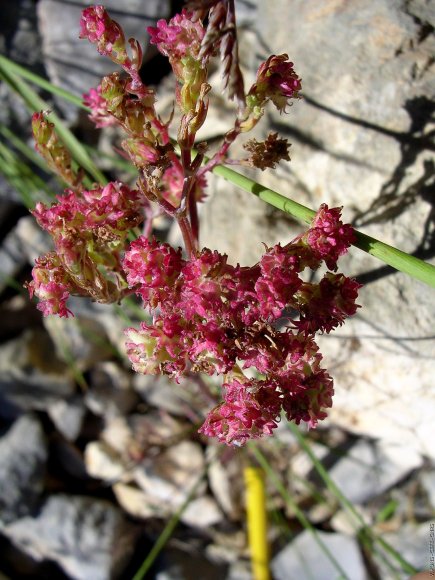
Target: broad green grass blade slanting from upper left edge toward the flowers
{"x":35,"y":103}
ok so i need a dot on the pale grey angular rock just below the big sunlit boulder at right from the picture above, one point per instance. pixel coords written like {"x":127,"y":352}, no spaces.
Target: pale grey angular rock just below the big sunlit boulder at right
{"x":370,"y":468}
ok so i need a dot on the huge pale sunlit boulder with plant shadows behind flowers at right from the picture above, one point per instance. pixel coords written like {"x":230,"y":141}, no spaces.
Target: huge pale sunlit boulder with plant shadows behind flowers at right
{"x":361,"y":138}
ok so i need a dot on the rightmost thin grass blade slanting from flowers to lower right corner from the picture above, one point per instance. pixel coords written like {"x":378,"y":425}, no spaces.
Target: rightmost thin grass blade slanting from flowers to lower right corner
{"x":346,"y":504}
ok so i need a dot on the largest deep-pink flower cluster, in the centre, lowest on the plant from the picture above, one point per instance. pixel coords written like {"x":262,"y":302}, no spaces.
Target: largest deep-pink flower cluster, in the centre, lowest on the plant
{"x":217,"y":318}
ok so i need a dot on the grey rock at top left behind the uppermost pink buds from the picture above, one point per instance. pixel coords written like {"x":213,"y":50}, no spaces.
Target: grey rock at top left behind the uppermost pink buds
{"x":74,"y":64}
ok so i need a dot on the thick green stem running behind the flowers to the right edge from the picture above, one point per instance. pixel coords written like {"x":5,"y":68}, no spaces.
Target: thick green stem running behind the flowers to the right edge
{"x":399,"y":260}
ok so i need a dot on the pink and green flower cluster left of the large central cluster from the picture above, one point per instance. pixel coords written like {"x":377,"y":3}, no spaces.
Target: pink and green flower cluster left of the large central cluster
{"x":89,"y":231}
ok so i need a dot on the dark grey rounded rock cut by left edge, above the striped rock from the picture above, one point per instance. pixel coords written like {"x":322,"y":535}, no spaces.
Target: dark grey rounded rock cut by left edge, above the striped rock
{"x":23,"y":455}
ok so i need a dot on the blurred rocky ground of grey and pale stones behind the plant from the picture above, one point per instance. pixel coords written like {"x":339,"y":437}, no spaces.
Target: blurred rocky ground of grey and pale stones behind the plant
{"x":95,"y":460}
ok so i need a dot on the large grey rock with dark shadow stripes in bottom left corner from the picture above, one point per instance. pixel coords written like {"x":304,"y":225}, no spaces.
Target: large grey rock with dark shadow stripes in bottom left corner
{"x":87,"y":537}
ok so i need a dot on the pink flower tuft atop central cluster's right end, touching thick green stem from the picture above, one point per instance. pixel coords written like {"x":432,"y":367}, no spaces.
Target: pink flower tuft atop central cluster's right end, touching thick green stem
{"x":328,"y":237}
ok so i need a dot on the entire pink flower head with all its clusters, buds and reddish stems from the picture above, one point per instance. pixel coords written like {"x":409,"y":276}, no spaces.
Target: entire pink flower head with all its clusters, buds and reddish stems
{"x":256,"y":325}
